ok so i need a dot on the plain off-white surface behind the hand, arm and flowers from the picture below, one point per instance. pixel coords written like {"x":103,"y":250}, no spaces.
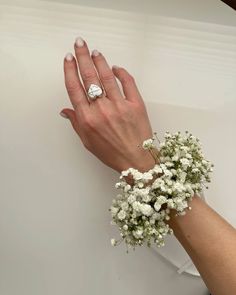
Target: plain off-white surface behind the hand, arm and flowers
{"x":54,"y":196}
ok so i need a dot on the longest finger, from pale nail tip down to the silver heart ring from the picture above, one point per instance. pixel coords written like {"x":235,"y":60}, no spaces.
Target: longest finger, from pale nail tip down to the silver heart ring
{"x":86,"y":66}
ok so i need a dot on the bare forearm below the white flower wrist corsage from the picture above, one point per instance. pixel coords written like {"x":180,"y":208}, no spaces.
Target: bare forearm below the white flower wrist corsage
{"x":210,"y":241}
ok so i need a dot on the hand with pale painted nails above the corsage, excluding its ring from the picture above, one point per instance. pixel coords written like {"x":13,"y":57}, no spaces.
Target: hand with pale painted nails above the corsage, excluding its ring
{"x":112,"y":126}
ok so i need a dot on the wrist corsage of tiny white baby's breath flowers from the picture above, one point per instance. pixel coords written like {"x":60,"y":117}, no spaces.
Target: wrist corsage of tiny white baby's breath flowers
{"x":141,"y":210}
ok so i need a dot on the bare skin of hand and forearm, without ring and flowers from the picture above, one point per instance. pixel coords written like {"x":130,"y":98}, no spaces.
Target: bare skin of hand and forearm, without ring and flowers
{"x":111,"y":127}
